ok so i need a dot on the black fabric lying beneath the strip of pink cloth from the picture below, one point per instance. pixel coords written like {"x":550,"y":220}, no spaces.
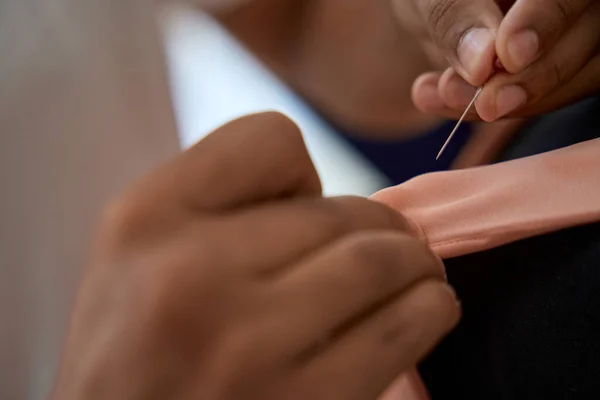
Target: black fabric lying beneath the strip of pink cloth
{"x":531,"y":322}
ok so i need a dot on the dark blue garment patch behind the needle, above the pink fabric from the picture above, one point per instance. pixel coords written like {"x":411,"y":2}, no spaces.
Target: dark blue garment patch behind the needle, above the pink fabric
{"x":401,"y":160}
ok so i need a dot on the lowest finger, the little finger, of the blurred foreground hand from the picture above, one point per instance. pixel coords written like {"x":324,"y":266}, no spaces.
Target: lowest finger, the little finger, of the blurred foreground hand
{"x":364,"y":361}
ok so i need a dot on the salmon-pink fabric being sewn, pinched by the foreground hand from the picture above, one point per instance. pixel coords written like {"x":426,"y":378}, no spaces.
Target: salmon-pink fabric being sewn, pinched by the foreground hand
{"x":466,"y":211}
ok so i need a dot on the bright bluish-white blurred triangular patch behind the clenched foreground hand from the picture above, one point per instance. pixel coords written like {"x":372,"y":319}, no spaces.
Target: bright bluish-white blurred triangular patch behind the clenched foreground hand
{"x":214,"y":79}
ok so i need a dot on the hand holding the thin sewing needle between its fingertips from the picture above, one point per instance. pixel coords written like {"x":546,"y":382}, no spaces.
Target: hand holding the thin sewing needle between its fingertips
{"x":549,"y":48}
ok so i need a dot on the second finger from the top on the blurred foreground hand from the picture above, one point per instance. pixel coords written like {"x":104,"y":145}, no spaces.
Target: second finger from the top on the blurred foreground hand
{"x":299,"y":226}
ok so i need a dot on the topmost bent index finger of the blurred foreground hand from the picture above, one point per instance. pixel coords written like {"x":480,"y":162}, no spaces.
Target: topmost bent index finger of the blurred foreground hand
{"x":254,"y":158}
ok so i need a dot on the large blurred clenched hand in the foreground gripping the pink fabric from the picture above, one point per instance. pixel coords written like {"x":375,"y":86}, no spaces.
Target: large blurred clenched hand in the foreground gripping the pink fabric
{"x":226,"y":275}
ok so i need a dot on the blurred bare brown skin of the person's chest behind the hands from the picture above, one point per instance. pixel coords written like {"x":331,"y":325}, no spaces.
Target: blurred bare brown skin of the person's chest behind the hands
{"x":349,"y":58}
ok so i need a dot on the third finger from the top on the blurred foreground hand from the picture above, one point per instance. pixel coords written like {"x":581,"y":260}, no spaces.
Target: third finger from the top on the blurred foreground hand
{"x":339,"y":284}
